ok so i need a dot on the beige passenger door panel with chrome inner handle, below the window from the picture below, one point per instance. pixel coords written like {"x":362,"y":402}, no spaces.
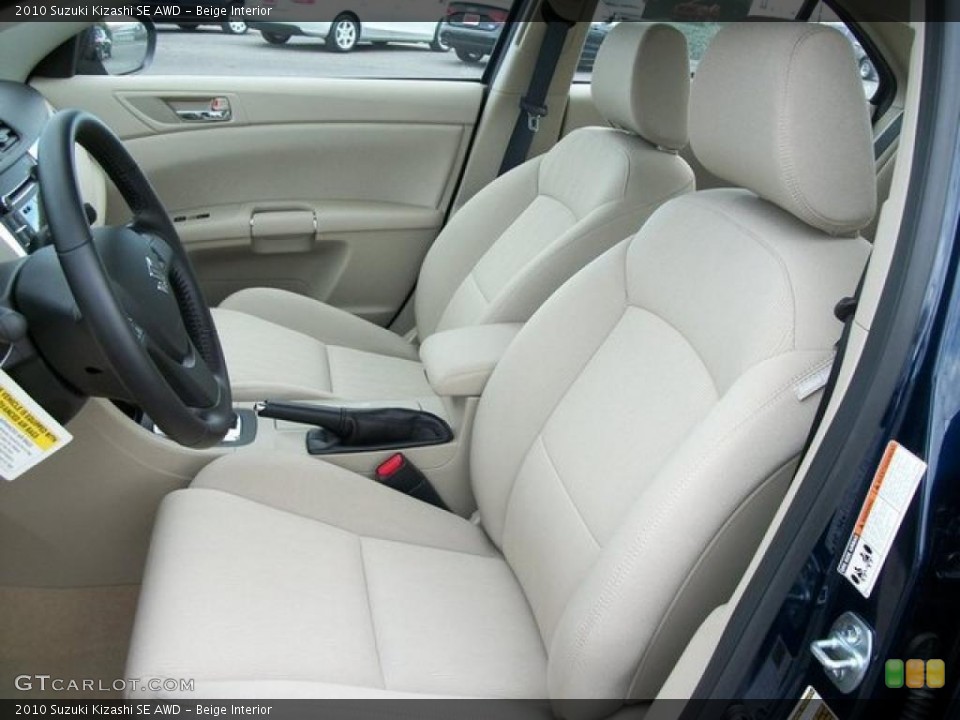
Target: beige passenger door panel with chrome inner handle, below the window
{"x":333,"y":188}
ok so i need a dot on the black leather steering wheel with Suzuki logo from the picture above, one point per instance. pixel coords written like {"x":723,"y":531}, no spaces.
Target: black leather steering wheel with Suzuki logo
{"x":135,"y":288}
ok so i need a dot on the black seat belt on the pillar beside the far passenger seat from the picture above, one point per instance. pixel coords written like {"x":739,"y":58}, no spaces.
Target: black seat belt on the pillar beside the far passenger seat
{"x":532,"y":104}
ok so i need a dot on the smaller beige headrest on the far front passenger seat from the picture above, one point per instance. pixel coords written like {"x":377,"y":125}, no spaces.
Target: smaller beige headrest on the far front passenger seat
{"x":641,"y":82}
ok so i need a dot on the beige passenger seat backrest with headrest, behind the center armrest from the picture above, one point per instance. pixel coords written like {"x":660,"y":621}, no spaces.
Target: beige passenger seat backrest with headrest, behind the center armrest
{"x":527,"y":232}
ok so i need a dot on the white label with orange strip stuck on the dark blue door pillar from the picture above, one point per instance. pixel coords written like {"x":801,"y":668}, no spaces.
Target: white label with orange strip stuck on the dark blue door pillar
{"x":884,"y":508}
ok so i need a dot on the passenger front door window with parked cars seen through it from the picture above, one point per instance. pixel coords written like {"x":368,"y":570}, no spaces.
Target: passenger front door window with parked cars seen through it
{"x":434,"y":39}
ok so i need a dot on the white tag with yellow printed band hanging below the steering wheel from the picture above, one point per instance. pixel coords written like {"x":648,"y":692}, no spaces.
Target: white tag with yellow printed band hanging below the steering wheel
{"x":28,"y":434}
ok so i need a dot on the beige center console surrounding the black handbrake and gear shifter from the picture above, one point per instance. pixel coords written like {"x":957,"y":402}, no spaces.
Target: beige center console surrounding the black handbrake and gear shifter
{"x":112,"y":456}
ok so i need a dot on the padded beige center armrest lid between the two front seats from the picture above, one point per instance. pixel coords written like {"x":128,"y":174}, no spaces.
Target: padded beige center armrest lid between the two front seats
{"x":459,"y":362}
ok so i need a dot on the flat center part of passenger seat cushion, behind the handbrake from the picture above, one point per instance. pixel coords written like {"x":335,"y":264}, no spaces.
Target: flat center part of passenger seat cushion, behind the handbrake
{"x":269,"y":360}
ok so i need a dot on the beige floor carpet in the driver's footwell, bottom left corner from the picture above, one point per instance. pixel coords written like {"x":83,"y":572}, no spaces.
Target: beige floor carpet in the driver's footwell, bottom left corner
{"x":73,"y":634}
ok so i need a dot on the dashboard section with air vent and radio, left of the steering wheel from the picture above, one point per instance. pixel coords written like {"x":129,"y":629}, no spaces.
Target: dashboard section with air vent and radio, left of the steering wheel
{"x":23,"y":115}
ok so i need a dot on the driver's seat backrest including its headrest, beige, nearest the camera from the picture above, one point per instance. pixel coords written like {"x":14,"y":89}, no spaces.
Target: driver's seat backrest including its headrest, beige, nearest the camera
{"x":633,"y":443}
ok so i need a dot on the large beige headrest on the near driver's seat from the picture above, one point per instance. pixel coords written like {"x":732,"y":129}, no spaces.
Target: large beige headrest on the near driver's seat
{"x":778,"y":108}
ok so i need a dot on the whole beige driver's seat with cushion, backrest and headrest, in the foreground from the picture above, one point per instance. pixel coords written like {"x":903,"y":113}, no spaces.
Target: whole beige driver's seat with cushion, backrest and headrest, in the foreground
{"x":628,"y":452}
